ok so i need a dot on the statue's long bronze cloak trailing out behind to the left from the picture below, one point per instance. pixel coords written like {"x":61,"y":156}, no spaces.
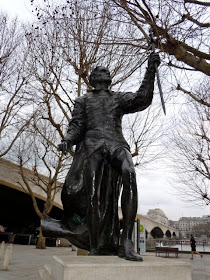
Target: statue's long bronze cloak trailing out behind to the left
{"x":73,"y":225}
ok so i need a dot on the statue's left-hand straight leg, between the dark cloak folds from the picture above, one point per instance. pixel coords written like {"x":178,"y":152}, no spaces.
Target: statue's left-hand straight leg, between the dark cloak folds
{"x":93,"y":170}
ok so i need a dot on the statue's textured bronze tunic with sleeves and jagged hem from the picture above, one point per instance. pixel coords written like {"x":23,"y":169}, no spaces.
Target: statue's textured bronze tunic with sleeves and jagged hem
{"x":97,"y":116}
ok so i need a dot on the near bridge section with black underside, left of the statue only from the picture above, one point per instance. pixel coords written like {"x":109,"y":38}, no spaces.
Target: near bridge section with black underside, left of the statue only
{"x":17,"y":213}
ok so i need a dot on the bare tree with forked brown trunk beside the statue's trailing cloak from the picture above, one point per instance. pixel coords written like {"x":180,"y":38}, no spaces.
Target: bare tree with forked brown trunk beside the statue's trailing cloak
{"x":35,"y":153}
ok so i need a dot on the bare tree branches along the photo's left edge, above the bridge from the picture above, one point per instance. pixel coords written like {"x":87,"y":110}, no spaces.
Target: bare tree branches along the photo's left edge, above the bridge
{"x":12,"y":82}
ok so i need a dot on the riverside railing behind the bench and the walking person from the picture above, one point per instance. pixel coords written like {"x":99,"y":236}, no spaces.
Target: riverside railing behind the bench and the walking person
{"x":183,"y":245}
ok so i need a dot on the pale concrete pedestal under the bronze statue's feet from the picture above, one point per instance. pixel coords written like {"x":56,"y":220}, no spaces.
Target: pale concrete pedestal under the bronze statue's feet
{"x":114,"y":268}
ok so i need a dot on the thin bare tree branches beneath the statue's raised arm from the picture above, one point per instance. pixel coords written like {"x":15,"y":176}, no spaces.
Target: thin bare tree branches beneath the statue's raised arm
{"x":144,"y":133}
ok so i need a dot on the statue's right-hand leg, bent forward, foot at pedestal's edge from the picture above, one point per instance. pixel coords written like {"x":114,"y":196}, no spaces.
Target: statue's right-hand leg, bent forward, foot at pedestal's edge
{"x":129,"y":201}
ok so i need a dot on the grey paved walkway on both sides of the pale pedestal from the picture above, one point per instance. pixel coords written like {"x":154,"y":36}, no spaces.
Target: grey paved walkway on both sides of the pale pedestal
{"x":26,"y":261}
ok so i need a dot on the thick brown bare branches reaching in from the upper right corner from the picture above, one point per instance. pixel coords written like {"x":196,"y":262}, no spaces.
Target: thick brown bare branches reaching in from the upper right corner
{"x":181,"y":27}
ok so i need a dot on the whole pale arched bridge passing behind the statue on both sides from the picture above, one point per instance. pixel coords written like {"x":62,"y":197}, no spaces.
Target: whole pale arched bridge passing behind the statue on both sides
{"x":18,"y":214}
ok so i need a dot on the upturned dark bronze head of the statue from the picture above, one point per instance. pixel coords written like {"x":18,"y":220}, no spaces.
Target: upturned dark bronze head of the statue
{"x":100,"y":75}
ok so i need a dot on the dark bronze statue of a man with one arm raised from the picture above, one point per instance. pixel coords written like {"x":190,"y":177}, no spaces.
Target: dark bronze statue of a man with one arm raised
{"x":101,"y":166}
